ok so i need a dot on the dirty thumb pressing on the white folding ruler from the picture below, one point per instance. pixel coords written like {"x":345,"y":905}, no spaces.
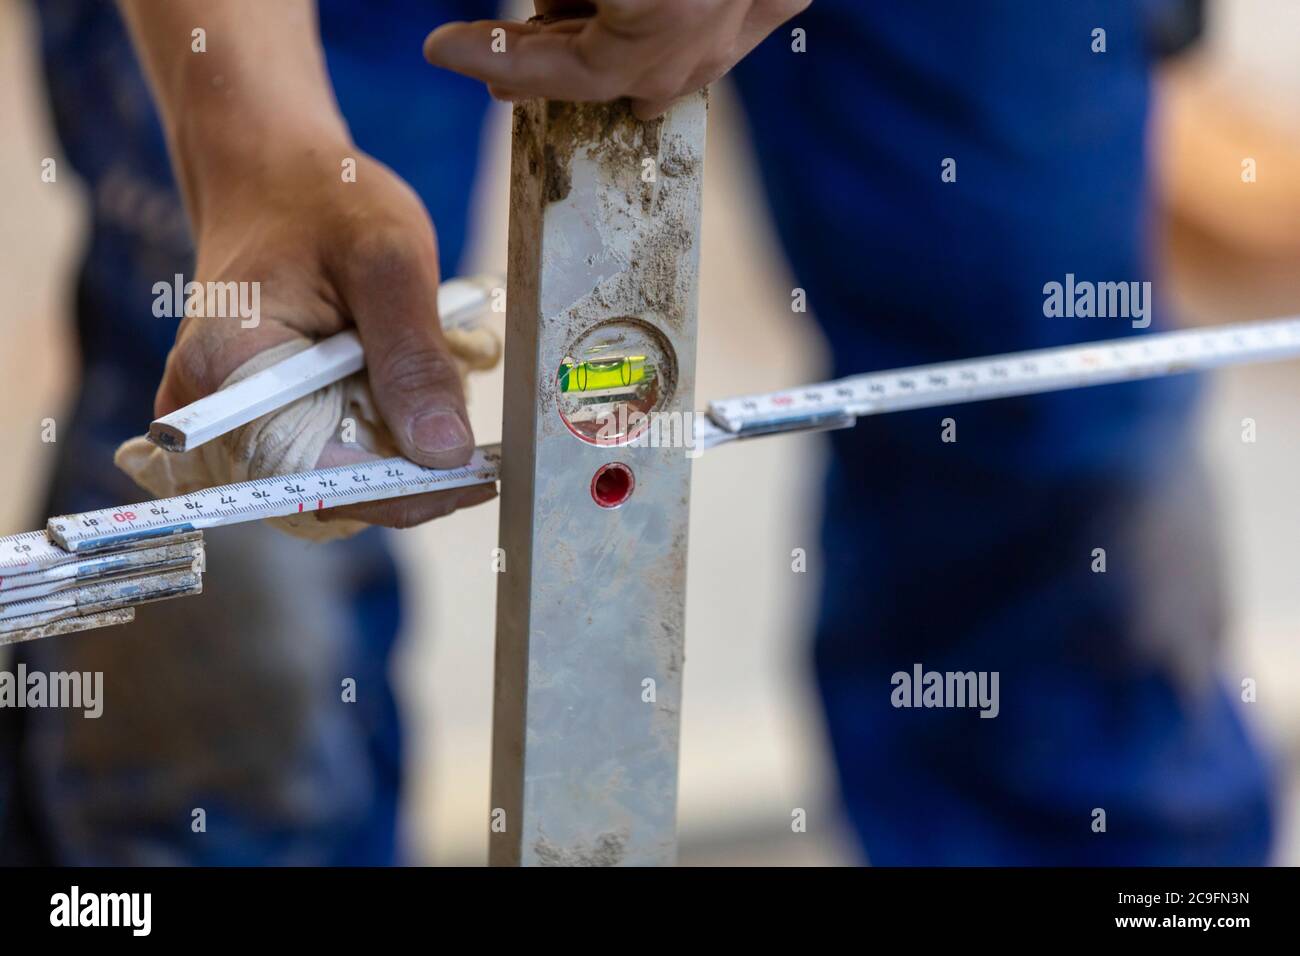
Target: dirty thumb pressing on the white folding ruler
{"x":393,"y":296}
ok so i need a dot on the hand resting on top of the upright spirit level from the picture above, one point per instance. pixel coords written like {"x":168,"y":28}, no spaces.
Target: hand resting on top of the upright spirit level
{"x":653,"y":51}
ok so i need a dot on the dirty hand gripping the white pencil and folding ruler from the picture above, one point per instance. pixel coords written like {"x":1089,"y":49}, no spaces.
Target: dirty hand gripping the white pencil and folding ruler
{"x":328,"y":254}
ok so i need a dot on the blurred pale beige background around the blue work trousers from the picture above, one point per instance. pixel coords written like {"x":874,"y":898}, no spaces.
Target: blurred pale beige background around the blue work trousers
{"x":752,"y":747}
